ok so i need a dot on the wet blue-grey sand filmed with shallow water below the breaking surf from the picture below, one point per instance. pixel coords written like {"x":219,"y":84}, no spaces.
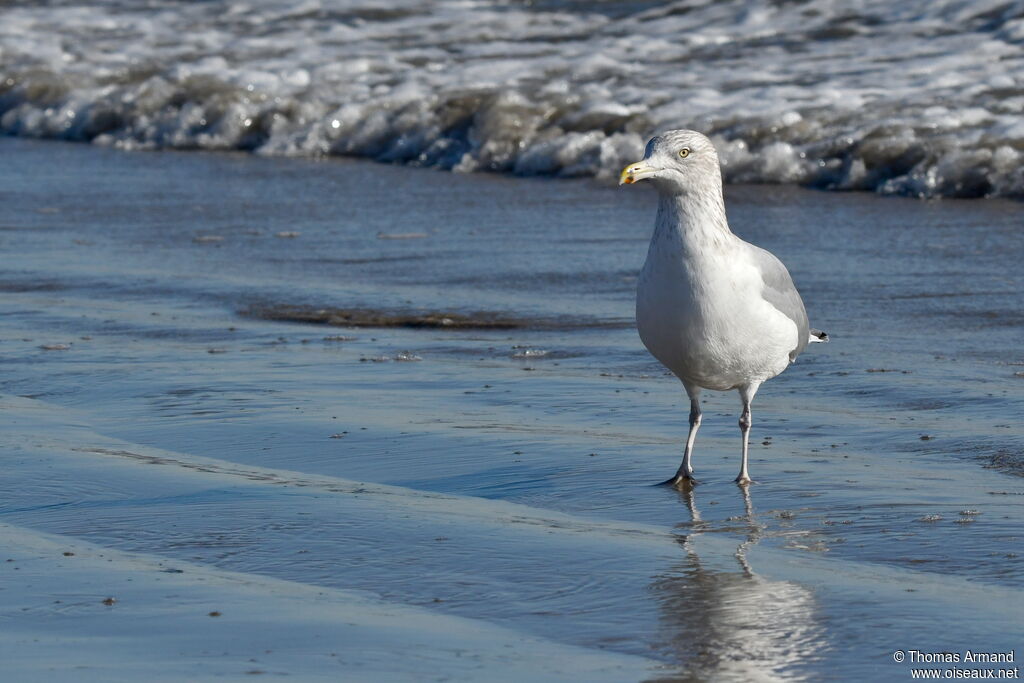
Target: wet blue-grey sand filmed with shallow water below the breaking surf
{"x":228,"y":366}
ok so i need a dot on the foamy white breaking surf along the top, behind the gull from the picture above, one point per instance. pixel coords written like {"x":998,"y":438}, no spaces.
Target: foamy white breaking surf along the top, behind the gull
{"x":922,"y":98}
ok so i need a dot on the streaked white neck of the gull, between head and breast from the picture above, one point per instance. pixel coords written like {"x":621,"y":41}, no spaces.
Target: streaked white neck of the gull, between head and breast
{"x":696,"y":221}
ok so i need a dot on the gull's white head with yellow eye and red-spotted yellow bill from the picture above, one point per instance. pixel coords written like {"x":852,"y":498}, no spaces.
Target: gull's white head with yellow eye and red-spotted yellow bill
{"x":678,"y":162}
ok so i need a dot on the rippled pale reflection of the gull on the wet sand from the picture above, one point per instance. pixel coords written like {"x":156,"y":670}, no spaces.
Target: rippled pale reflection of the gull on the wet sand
{"x":722,"y":621}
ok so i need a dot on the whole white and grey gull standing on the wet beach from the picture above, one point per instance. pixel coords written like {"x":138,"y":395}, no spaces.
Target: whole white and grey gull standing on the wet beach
{"x":719,"y":313}
